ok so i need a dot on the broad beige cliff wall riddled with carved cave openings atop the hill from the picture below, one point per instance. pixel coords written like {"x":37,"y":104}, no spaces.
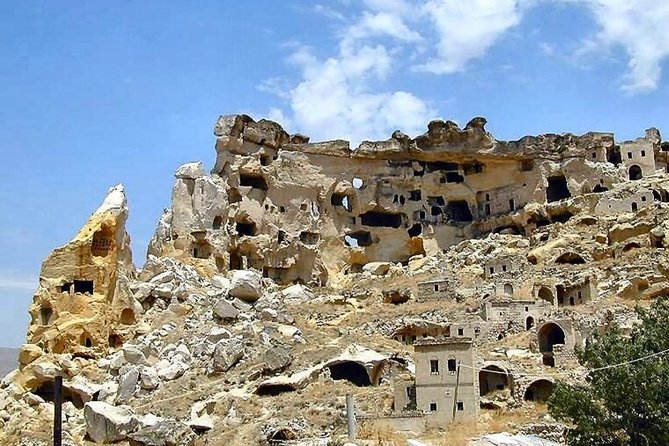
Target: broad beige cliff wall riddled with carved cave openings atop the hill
{"x":305,"y":212}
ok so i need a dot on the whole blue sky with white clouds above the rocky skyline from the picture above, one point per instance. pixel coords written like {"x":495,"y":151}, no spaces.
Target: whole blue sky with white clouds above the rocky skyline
{"x":109,"y":92}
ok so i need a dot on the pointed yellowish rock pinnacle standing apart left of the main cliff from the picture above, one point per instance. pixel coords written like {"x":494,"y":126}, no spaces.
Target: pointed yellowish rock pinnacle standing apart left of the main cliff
{"x":83,"y":305}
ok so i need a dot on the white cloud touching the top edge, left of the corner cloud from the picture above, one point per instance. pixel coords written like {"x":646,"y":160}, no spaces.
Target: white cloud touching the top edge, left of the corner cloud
{"x":467,"y":29}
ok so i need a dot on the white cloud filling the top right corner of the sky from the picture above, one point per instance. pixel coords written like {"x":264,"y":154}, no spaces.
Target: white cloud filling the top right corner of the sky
{"x":641,"y":27}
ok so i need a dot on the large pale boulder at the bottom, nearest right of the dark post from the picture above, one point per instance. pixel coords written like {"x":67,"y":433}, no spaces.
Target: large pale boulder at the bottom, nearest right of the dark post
{"x":106,"y":423}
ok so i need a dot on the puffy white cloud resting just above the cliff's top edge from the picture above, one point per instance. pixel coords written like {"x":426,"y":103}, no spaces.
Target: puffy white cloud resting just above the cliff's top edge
{"x":335,"y":99}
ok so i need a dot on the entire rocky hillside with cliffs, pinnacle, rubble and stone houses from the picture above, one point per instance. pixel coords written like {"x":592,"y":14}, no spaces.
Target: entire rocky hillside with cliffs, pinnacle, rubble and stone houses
{"x":296,"y":273}
